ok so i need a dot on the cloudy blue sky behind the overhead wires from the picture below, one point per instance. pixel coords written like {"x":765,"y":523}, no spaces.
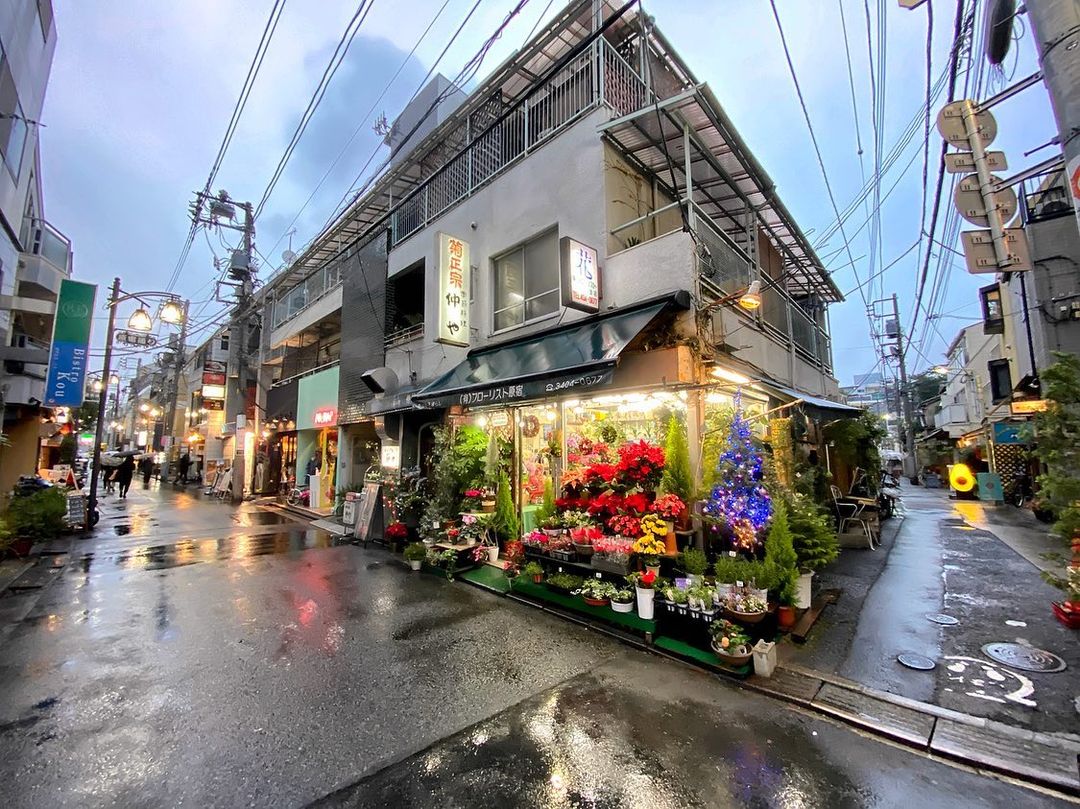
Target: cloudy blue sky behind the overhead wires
{"x":141,"y":95}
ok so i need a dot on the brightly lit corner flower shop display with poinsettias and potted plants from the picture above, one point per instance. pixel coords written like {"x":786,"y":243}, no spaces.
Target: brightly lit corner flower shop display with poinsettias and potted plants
{"x":684,"y":516}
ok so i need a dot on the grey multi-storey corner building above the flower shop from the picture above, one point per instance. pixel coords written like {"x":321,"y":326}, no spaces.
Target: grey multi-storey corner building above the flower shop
{"x":585,"y":232}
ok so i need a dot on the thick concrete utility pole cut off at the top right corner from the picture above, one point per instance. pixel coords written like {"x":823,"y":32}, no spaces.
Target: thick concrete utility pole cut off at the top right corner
{"x":1056,"y":25}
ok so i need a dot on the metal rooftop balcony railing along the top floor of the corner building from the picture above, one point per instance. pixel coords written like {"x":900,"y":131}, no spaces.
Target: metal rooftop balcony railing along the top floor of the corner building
{"x":599,"y":76}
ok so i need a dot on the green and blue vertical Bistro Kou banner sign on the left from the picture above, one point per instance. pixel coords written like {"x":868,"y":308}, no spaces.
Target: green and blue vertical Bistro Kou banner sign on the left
{"x":69,"y":355}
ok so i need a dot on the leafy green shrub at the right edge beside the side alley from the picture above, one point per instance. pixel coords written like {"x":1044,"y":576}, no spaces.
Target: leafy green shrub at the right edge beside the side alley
{"x":1059,"y":429}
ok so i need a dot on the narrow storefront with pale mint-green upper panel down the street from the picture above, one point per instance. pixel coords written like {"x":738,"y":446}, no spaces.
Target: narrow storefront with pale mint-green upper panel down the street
{"x":317,"y":437}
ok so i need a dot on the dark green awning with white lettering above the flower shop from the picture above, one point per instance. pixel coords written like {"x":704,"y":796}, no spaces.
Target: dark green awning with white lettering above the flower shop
{"x":578,"y":357}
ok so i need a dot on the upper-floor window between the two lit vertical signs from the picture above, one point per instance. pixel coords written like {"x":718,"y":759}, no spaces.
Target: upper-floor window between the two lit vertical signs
{"x":526,"y":282}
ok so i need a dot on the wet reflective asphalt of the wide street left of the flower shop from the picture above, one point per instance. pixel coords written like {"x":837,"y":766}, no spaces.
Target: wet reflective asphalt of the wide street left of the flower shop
{"x":260,"y":665}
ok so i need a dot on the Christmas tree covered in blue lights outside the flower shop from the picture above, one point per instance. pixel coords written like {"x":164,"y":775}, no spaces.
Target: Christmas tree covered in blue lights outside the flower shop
{"x":740,"y":500}
